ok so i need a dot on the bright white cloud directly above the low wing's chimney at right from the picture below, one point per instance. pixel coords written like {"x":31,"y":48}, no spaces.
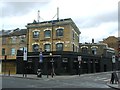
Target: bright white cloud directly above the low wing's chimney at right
{"x":98,"y":33}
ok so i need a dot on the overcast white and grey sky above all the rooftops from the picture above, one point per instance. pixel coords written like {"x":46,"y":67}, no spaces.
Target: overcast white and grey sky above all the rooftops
{"x":96,"y":19}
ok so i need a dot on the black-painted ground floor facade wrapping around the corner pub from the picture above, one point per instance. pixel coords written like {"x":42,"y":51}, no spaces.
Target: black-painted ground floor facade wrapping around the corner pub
{"x":63,"y":63}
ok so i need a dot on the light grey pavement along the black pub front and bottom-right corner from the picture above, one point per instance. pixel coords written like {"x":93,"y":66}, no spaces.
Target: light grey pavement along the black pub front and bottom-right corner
{"x":33,"y":76}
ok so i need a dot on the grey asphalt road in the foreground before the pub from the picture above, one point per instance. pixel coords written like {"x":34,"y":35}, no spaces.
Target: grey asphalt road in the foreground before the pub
{"x":84,"y":81}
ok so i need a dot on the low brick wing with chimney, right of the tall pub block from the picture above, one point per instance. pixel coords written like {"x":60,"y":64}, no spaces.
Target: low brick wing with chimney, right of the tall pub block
{"x":97,"y":57}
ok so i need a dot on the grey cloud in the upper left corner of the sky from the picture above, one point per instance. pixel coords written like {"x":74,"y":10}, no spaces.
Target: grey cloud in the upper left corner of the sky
{"x":19,"y":8}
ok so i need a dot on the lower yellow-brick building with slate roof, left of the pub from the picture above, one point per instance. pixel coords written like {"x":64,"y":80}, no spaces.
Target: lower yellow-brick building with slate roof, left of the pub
{"x":12,"y":40}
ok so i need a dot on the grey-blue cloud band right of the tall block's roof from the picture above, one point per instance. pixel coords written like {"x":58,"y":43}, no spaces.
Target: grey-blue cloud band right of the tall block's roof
{"x":88,"y":22}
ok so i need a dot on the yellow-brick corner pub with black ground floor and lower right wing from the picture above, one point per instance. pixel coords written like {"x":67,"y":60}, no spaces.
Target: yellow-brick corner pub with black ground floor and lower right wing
{"x":62,"y":53}
